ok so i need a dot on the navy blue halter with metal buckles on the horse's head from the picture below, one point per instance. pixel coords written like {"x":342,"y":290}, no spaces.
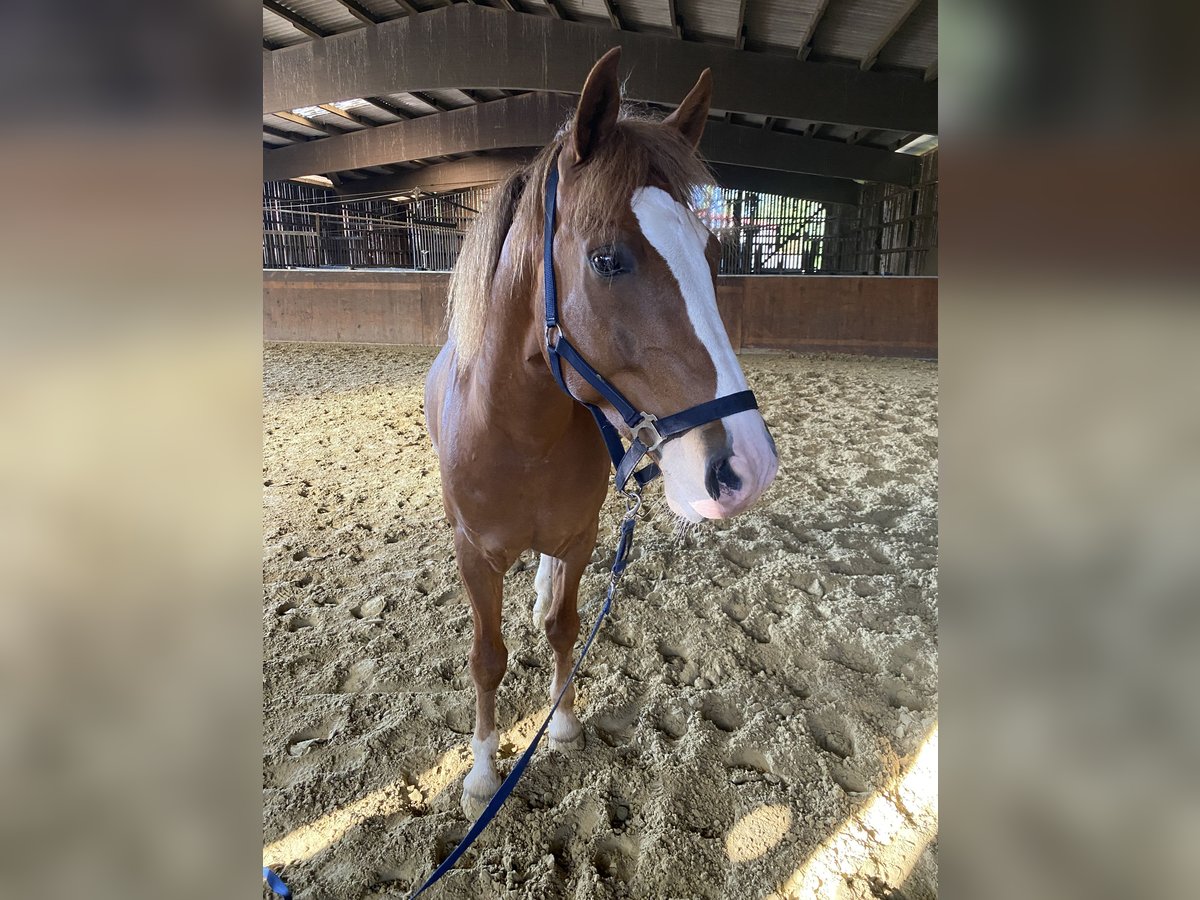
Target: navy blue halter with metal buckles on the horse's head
{"x":649,"y":431}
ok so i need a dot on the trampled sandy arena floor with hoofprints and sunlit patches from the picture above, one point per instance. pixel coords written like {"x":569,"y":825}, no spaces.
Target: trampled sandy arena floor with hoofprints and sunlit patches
{"x":760,"y":711}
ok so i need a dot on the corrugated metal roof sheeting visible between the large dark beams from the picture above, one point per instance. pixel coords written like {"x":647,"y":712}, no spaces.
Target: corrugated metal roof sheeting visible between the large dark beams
{"x":898,"y":37}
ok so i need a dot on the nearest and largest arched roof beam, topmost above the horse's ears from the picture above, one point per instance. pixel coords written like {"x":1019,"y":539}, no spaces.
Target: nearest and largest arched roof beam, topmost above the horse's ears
{"x":496,"y":50}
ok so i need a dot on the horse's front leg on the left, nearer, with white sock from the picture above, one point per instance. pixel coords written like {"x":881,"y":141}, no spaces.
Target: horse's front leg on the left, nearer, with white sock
{"x":489,"y":662}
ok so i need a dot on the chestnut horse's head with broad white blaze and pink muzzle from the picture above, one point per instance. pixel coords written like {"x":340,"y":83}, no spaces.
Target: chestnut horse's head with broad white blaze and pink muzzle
{"x":637,"y":273}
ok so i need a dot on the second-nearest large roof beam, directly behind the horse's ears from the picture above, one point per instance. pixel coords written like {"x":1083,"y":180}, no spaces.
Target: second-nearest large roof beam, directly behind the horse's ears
{"x":533,"y":121}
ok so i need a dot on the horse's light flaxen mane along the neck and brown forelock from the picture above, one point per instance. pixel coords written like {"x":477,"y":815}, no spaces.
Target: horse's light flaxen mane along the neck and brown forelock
{"x":639,"y":152}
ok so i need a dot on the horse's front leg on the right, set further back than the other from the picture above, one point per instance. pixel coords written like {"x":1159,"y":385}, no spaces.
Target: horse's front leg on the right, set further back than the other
{"x":562,"y":631}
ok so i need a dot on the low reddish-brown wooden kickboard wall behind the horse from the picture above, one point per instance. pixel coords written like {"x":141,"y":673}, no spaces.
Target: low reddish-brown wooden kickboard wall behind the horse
{"x":877,"y":316}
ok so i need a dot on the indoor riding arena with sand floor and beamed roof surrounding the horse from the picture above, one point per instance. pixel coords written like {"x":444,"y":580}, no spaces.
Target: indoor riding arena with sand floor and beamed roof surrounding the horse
{"x":760,"y":706}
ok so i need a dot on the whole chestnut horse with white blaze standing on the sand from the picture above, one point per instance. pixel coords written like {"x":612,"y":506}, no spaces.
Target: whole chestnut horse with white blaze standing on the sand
{"x":523,"y":463}
